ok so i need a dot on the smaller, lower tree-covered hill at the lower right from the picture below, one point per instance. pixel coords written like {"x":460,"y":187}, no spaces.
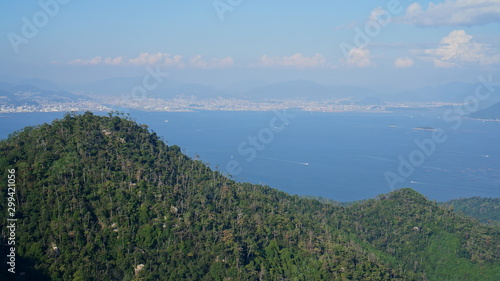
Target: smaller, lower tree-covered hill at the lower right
{"x":426,"y":237}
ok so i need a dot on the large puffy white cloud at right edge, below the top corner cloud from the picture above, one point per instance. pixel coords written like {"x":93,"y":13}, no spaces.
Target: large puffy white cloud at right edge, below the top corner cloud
{"x":458,"y":47}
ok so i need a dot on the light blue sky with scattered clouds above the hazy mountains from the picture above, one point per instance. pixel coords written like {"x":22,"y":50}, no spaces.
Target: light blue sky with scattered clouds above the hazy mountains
{"x":386,"y":45}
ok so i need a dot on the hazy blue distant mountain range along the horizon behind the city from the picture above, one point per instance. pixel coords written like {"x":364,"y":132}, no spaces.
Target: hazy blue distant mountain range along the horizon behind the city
{"x":454,"y":92}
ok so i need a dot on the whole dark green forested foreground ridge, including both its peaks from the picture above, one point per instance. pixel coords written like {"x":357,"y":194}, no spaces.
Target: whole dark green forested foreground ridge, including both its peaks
{"x":102,"y":198}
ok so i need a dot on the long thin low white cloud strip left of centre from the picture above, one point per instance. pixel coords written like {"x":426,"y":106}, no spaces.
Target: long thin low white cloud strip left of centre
{"x":163,"y":59}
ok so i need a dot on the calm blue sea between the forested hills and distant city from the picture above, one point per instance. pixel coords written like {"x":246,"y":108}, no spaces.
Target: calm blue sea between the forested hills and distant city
{"x":341,"y":156}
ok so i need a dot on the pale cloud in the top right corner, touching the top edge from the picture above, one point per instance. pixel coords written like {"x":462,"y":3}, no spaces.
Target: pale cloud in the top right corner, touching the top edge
{"x":453,"y":12}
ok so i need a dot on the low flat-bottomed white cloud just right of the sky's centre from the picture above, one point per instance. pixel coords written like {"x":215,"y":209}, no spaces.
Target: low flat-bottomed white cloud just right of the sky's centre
{"x":294,"y":61}
